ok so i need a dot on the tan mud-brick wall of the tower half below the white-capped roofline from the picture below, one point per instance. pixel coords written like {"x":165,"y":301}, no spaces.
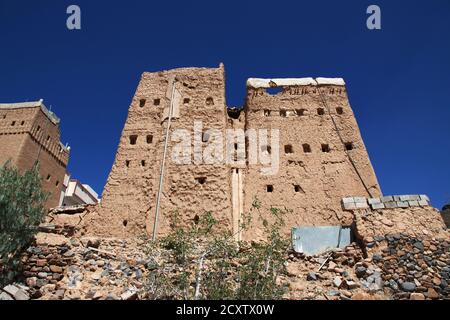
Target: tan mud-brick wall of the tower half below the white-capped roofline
{"x":322,"y":178}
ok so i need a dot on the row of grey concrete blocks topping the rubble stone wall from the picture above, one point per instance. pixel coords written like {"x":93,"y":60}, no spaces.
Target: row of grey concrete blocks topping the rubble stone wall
{"x":386,"y":202}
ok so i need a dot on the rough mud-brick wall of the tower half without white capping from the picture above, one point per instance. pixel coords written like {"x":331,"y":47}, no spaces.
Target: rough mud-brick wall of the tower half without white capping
{"x":129,"y":198}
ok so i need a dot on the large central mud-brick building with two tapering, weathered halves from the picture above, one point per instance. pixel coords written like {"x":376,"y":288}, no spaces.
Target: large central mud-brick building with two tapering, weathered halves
{"x":322,"y":157}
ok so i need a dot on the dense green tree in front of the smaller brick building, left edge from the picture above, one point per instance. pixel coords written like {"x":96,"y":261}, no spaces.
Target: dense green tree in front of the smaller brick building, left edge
{"x":21,"y":211}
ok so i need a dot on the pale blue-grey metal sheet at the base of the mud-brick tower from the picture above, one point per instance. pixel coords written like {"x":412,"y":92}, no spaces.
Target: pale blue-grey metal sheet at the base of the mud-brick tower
{"x":312,"y":240}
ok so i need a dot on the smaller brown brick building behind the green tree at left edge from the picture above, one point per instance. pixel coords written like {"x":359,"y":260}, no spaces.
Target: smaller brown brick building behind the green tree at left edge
{"x":30,"y":133}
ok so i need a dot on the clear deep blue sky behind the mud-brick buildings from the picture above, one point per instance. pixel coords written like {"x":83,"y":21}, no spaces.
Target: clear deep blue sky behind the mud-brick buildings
{"x":398,"y":78}
